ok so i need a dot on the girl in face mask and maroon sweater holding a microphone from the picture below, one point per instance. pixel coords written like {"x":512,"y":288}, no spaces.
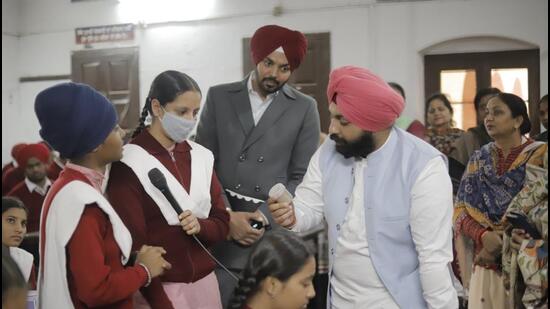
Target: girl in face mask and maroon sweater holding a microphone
{"x":173,"y":103}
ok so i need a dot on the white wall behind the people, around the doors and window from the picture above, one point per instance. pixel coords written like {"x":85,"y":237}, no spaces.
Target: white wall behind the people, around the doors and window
{"x":390,"y":39}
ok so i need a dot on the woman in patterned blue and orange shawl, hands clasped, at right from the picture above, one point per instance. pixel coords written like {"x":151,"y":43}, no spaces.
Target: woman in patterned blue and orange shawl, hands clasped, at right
{"x":495,"y":175}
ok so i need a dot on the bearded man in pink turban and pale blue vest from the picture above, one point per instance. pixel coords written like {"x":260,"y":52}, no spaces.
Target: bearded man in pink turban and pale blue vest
{"x":387,"y":199}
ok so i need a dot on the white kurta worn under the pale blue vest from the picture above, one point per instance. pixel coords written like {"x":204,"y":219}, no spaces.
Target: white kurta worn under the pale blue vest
{"x":355,"y":283}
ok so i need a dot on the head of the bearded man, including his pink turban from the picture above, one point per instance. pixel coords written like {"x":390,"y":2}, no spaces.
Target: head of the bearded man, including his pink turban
{"x":368,"y":103}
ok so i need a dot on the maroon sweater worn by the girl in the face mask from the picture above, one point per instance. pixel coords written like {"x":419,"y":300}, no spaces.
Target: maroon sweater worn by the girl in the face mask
{"x":147,"y":224}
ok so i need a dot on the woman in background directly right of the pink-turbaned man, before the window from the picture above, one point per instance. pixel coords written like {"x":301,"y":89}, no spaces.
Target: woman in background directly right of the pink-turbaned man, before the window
{"x":439,"y":118}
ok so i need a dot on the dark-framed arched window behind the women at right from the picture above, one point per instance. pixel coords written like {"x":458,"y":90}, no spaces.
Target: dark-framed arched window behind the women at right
{"x":459,"y":76}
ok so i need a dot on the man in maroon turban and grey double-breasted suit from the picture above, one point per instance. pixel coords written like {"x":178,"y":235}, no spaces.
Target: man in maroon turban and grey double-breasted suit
{"x":261,"y":132}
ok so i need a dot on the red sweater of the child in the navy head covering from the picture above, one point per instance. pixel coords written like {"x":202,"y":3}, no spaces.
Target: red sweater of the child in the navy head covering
{"x":95,"y":274}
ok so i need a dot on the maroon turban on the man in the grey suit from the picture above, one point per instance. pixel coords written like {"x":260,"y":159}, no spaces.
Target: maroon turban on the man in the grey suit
{"x":269,"y":38}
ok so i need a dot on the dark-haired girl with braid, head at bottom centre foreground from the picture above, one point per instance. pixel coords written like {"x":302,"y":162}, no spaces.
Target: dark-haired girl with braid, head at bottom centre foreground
{"x":278,"y":275}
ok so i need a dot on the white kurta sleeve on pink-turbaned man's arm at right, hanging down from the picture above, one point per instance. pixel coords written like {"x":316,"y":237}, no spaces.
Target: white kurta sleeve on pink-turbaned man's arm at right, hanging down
{"x":431,"y":227}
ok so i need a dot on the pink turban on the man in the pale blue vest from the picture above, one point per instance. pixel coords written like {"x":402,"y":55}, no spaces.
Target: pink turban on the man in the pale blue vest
{"x":363,"y":98}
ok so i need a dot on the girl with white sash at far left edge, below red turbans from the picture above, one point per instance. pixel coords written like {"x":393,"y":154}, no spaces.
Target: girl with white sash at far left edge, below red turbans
{"x":14,"y":228}
